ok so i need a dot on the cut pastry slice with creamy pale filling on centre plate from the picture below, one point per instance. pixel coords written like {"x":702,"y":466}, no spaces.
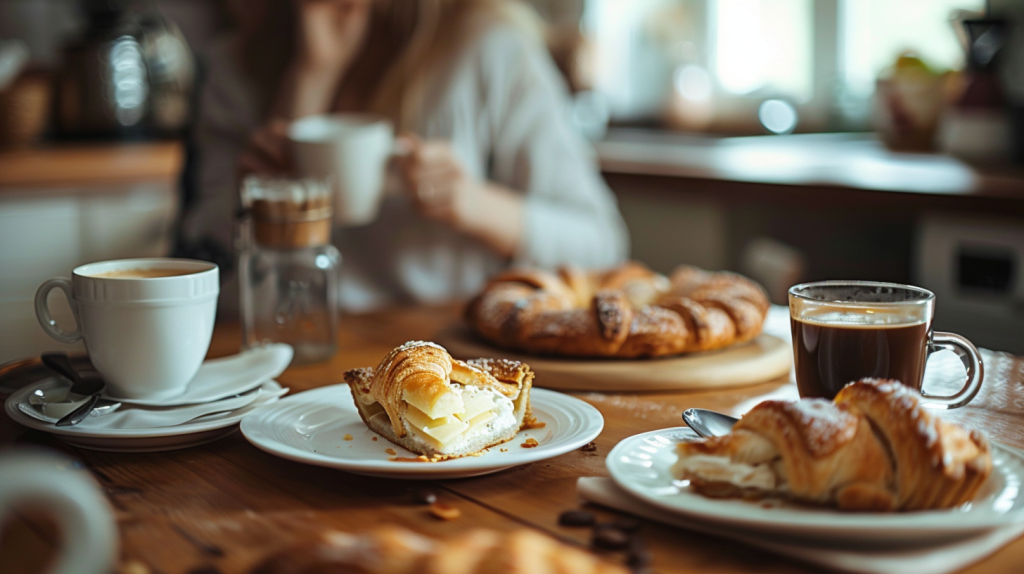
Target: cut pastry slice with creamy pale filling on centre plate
{"x":422,"y":400}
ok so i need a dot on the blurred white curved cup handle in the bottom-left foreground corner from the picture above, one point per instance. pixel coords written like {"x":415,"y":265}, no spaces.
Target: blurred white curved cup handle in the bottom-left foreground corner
{"x":59,"y":487}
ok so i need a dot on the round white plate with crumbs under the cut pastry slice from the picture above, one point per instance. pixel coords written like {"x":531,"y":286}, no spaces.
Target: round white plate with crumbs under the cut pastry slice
{"x":312,"y":428}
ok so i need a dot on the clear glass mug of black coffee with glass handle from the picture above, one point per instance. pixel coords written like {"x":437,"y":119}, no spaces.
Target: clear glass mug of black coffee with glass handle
{"x":846,"y":331}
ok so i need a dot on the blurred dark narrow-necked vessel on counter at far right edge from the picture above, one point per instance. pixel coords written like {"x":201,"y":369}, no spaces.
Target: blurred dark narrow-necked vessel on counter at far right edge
{"x":977,"y":126}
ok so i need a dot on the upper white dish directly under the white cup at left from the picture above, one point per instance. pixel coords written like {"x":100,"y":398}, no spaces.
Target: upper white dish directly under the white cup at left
{"x":226,"y":377}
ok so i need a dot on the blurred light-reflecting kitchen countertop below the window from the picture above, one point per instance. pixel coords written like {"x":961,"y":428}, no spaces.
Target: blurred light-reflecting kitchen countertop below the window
{"x":840,"y":162}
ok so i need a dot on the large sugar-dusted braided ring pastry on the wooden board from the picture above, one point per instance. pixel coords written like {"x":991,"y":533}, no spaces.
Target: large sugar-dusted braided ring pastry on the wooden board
{"x":629,"y":312}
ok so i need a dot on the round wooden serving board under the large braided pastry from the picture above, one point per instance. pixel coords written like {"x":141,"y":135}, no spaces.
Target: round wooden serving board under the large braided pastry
{"x":764,"y":359}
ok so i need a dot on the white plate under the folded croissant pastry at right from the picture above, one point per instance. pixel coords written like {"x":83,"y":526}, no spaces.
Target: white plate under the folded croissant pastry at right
{"x":641,"y":465}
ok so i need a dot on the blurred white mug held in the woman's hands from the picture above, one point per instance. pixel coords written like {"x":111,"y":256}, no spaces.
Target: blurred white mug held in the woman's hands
{"x":350,"y":150}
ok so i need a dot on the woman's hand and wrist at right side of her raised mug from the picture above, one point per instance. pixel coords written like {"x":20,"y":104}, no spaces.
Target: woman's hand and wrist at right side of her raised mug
{"x":443,"y":190}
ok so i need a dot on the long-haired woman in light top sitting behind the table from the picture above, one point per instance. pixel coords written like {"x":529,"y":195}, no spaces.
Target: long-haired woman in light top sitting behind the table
{"x":495,"y":176}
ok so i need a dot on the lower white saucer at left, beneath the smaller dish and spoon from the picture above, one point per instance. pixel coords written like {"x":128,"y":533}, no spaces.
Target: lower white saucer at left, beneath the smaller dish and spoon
{"x":200,"y":431}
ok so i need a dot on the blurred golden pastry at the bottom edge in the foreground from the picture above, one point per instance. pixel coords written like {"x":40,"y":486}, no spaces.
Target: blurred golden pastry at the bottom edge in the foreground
{"x":397,"y":551}
